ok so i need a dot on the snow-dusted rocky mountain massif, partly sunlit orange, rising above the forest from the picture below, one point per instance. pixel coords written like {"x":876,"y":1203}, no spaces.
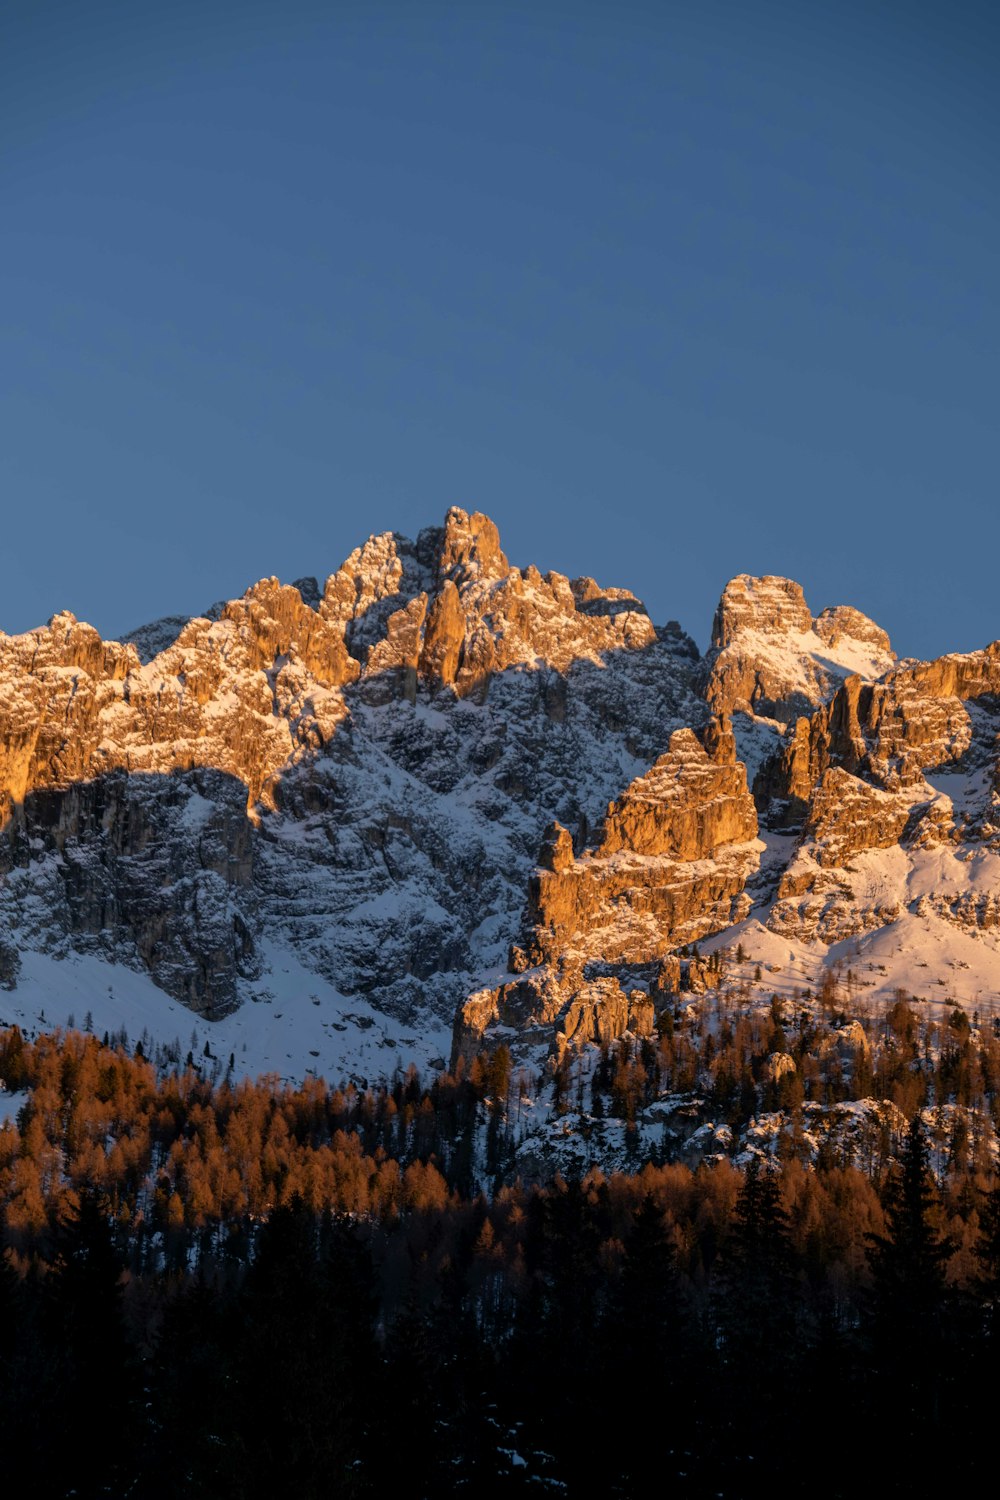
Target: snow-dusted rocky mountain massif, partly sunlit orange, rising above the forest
{"x":443,"y":803}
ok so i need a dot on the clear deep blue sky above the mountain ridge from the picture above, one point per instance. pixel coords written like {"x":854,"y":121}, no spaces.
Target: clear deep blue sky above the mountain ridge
{"x":672,"y":292}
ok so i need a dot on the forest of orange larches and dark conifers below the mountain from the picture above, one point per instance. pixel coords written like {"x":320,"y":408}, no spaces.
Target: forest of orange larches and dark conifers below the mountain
{"x":223,"y":1289}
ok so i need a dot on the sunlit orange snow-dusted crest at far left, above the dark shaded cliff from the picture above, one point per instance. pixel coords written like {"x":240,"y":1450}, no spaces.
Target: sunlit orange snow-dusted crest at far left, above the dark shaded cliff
{"x":241,"y":695}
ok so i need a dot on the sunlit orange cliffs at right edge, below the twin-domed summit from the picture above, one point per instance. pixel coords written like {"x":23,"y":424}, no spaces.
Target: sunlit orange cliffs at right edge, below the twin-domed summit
{"x":900,"y":767}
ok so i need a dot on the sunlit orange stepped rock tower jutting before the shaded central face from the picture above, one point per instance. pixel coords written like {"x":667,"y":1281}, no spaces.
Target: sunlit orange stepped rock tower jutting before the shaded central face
{"x":671,"y":868}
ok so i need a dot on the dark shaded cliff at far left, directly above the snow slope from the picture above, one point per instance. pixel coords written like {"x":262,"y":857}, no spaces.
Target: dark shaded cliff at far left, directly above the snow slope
{"x":149,"y":871}
